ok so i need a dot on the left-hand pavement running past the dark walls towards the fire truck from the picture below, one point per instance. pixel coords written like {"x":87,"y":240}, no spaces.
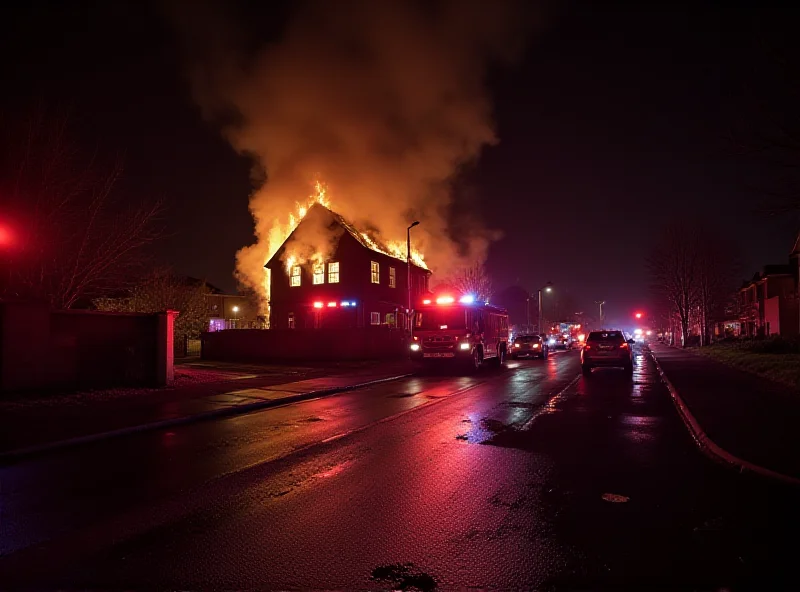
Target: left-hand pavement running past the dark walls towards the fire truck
{"x":202,"y":389}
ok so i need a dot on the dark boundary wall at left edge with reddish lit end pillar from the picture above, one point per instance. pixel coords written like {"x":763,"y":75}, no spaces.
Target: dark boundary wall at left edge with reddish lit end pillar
{"x":44,"y":349}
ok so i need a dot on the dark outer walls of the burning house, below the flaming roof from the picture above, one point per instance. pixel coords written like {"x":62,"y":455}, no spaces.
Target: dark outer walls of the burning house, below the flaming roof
{"x":354,"y":285}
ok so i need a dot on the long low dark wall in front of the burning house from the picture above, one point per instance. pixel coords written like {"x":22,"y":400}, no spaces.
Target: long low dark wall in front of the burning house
{"x":305,"y":344}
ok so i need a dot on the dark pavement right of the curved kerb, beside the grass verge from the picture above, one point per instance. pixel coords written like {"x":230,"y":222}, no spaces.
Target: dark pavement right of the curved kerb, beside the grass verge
{"x":749,"y":418}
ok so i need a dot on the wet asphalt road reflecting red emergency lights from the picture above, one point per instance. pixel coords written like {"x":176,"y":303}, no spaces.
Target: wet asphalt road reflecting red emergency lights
{"x":527,"y":477}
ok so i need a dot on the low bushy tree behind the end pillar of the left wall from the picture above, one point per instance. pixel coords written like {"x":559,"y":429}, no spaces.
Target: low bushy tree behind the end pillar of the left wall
{"x":163,"y":290}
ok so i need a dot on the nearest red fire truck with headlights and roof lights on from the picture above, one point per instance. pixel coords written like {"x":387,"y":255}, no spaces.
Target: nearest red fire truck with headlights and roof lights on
{"x":447,"y":329}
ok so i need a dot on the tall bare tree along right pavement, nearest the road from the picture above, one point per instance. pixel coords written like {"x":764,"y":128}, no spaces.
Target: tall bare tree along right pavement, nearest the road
{"x":673,"y":268}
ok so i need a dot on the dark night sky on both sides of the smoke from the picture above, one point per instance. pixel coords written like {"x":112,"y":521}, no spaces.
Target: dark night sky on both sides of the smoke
{"x":618,"y":119}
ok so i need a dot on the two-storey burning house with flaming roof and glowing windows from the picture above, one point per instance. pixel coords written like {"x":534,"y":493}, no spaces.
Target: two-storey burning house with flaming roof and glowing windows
{"x":354,"y":281}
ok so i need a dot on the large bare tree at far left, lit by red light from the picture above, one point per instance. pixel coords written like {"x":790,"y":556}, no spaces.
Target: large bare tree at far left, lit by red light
{"x":75,"y":236}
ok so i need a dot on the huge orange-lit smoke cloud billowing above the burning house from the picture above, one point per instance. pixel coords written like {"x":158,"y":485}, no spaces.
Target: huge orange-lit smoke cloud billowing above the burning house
{"x":383,"y":101}
